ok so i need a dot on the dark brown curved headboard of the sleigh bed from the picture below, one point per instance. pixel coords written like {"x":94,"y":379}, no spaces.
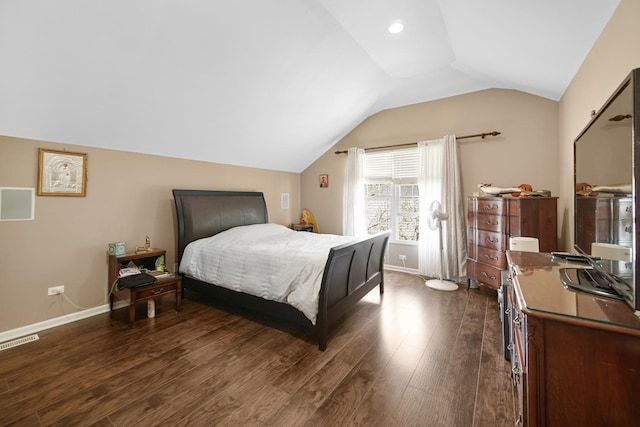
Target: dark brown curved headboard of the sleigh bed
{"x":202,"y":213}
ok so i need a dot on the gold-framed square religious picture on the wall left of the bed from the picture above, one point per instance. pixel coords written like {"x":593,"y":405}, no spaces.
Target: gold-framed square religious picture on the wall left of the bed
{"x":62,"y":173}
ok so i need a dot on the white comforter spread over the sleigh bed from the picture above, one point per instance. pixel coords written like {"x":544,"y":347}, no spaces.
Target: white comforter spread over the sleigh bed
{"x":267,"y":260}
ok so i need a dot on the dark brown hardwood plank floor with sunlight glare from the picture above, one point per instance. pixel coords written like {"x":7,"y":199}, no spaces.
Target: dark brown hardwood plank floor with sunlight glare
{"x":413,"y":357}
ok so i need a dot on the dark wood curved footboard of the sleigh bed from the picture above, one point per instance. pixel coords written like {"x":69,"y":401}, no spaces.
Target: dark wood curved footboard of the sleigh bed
{"x":352,"y":270}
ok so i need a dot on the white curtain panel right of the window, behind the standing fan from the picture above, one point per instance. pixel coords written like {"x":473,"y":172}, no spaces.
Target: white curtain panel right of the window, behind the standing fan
{"x":439,"y":180}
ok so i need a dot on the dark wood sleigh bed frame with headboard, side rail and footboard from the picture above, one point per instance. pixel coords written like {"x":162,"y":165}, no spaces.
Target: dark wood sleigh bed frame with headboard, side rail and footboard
{"x":352,"y":269}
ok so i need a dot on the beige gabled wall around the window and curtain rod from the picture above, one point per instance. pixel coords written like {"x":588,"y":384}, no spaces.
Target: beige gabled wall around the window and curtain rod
{"x":525,"y":152}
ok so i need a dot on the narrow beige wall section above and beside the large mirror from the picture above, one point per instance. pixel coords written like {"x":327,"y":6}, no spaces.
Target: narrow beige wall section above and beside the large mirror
{"x":611,"y":59}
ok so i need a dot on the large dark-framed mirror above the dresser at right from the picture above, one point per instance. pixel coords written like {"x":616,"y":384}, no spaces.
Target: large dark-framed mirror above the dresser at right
{"x":605,"y":180}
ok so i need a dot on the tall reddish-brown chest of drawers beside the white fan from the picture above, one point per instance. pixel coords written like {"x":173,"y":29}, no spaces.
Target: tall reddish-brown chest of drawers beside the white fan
{"x":492,"y":220}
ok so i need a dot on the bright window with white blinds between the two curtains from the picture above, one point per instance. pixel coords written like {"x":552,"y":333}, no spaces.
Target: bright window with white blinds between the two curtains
{"x":391,"y":193}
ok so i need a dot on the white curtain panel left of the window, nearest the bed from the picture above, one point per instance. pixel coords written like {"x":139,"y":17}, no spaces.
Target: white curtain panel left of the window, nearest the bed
{"x":353,"y":214}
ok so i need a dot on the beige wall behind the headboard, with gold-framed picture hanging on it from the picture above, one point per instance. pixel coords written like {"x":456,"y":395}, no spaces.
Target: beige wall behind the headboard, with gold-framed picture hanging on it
{"x":128,"y":197}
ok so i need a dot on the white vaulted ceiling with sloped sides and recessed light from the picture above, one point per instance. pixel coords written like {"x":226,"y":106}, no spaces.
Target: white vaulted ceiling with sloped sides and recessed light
{"x":267,"y":83}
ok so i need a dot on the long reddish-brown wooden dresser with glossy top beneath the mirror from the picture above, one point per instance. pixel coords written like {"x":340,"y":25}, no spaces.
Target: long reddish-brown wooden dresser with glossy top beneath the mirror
{"x":575,"y":356}
